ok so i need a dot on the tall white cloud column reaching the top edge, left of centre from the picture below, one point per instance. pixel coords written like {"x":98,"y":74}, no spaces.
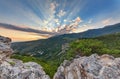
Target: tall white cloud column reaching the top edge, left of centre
{"x":51,"y":21}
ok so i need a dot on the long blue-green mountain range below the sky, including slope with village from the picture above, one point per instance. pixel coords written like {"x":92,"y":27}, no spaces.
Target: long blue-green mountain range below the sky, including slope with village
{"x":47,"y":48}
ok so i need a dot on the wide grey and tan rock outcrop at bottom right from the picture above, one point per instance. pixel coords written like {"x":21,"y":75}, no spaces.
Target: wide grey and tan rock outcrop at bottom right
{"x":92,"y":67}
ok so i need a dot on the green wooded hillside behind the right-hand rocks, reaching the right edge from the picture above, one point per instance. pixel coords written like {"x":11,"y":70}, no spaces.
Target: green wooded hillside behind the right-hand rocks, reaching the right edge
{"x":107,"y":44}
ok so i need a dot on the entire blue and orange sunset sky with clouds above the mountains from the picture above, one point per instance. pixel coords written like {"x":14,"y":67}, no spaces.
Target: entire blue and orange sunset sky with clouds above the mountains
{"x":25,"y":20}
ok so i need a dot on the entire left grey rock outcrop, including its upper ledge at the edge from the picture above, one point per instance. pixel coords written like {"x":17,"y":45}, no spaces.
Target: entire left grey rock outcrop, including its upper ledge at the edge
{"x":16,"y":69}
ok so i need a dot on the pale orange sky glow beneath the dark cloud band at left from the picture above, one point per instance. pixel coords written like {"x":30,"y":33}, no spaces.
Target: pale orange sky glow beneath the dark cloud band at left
{"x":20,"y":36}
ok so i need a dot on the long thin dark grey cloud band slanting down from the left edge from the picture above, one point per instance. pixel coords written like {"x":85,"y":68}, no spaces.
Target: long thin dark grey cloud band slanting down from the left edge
{"x":13,"y":27}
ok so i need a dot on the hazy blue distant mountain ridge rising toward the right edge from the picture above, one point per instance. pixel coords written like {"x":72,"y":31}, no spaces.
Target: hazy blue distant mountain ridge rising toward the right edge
{"x":96,"y":32}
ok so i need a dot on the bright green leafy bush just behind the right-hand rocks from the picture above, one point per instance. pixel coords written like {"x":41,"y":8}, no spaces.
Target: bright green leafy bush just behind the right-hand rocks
{"x":85,"y":47}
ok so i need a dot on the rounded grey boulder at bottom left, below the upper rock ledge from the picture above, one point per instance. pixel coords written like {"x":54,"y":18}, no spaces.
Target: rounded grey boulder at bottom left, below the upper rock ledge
{"x":16,"y":69}
